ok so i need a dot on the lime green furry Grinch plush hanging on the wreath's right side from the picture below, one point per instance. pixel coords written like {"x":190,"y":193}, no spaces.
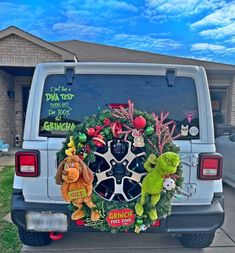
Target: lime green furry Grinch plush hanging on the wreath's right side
{"x":152,"y":185}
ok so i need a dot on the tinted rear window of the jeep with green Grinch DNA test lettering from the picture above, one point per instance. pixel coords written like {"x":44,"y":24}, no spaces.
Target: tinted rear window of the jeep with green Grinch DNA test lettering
{"x":65,"y":105}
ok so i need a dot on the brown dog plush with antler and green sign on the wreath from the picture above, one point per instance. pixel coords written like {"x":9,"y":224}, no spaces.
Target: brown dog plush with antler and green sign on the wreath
{"x":76,"y":185}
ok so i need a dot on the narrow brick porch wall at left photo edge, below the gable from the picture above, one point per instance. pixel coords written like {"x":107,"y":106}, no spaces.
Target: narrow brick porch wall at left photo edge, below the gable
{"x":7,"y":110}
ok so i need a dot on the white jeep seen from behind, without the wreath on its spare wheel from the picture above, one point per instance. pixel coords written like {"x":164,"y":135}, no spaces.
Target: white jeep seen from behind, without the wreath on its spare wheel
{"x":62,"y":94}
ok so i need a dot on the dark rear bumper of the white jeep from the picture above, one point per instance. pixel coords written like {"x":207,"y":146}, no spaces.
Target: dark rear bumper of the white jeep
{"x":183,"y":219}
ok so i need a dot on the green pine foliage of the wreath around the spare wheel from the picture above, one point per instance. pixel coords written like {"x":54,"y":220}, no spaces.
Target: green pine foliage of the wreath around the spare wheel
{"x":164,"y":204}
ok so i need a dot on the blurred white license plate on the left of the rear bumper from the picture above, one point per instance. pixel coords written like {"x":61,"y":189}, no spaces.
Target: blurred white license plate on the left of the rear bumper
{"x":46,"y":221}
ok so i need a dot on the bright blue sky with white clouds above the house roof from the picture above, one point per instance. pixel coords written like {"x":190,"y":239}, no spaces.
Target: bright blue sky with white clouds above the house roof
{"x":201,"y":29}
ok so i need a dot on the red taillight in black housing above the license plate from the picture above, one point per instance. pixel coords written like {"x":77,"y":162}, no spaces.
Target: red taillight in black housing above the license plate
{"x":27,"y":163}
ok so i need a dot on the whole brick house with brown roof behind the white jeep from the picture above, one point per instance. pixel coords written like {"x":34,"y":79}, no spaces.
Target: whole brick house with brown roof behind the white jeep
{"x":20,"y":52}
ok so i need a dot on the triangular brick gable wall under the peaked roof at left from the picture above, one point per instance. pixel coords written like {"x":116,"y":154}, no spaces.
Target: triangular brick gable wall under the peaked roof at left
{"x":17,"y":51}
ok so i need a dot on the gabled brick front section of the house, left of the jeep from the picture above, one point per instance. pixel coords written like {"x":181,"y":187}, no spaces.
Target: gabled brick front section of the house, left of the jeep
{"x":20,"y":52}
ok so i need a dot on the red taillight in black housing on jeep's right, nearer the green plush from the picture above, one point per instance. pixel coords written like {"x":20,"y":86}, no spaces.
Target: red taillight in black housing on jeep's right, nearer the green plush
{"x":210,"y":166}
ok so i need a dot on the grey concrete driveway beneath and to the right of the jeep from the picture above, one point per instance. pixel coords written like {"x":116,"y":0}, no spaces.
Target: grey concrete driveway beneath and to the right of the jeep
{"x":147,"y":243}
